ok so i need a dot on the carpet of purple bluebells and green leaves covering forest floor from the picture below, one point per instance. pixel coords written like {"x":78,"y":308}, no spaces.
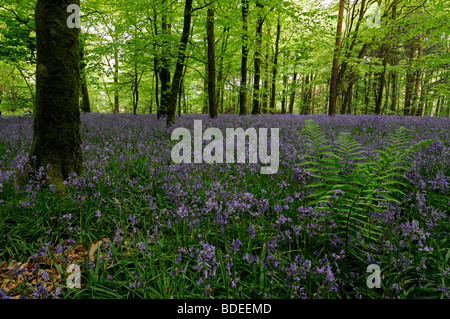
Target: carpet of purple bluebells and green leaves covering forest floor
{"x":140,"y":226}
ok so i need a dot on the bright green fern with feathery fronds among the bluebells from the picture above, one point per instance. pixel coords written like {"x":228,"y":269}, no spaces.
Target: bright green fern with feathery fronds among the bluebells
{"x":341,"y":167}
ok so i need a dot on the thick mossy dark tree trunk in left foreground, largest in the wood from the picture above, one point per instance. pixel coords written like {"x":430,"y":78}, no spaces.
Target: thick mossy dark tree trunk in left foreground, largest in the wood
{"x":56,"y":127}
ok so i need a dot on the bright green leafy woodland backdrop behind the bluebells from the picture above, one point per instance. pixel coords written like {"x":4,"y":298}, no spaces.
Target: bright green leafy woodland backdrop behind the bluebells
{"x":269,"y":56}
